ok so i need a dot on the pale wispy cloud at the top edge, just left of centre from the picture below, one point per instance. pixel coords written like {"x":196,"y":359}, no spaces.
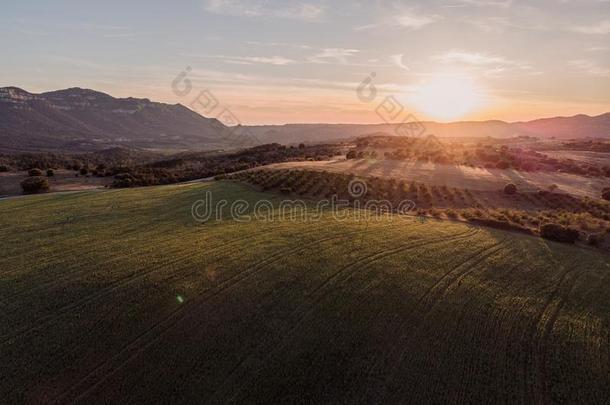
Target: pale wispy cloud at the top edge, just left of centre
{"x":264,"y":8}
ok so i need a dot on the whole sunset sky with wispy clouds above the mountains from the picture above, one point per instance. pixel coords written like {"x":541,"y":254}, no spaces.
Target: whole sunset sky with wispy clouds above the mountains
{"x":275,"y":62}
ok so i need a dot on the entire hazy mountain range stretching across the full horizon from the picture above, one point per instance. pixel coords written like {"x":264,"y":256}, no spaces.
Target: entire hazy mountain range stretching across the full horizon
{"x":79,"y":119}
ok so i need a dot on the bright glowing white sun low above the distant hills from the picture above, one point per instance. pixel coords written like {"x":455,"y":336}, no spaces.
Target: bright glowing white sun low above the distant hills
{"x":447,"y":97}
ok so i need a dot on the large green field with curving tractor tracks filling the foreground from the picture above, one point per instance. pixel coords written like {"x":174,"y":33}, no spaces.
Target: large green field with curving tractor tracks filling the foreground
{"x":120,"y":296}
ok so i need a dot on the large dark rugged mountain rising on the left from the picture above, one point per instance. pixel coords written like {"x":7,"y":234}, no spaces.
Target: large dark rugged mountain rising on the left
{"x":81,"y":119}
